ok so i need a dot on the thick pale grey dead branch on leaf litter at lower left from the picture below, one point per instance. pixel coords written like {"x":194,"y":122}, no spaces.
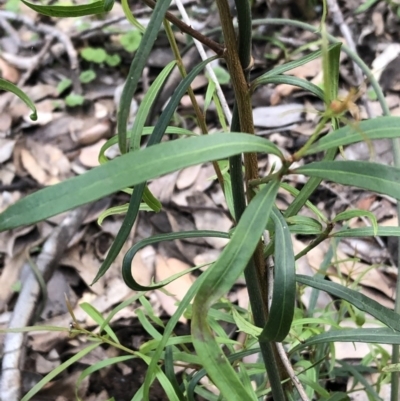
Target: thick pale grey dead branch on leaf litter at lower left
{"x":53,"y":248}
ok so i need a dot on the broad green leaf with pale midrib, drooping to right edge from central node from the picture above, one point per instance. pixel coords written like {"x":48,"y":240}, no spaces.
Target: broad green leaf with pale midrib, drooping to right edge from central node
{"x":367,"y":175}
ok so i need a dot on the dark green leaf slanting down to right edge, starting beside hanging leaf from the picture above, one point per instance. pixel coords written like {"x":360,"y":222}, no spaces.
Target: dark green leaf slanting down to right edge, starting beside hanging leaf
{"x":356,"y":298}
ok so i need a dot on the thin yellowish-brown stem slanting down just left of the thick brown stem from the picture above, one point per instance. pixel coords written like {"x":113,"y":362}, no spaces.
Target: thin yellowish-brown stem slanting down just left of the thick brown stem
{"x":199,"y":115}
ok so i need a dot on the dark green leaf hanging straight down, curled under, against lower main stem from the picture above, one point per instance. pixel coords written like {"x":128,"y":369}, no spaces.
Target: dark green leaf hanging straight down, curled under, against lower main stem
{"x":284,"y":291}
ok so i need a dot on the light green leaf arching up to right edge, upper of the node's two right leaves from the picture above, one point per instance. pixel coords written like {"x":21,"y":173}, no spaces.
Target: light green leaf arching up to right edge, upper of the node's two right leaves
{"x":375,"y":128}
